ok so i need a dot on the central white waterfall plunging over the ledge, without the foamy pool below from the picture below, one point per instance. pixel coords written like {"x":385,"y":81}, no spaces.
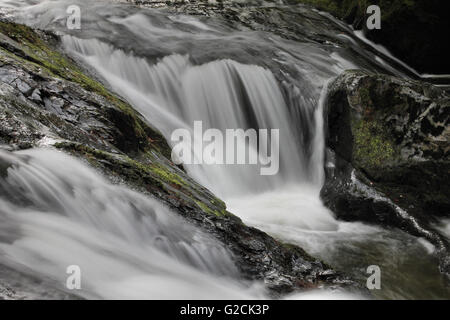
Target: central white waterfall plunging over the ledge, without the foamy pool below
{"x":223,"y":94}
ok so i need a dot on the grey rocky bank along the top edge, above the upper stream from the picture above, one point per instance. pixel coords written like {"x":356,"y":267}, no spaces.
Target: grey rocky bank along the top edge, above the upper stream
{"x":298,"y":23}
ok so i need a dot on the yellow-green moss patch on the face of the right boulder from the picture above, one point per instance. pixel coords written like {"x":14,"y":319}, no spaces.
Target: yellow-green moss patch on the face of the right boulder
{"x":372,"y":146}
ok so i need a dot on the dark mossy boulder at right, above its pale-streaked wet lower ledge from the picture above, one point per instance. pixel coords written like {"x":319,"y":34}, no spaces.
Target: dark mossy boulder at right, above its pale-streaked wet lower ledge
{"x":395,"y":133}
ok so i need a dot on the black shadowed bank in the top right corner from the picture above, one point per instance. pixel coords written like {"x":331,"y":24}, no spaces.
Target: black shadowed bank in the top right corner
{"x":412,"y":29}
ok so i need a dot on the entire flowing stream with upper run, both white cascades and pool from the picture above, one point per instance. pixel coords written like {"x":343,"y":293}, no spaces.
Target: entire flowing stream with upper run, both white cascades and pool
{"x":176,"y":69}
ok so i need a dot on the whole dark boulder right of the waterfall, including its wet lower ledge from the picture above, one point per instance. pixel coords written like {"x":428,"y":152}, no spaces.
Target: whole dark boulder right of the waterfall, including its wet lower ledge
{"x":388,"y":157}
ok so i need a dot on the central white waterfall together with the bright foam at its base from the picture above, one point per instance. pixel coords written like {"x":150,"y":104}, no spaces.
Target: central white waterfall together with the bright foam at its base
{"x":226,"y":94}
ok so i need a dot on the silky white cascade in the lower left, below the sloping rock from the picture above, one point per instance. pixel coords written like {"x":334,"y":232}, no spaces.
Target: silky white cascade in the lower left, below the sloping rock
{"x":56,"y":212}
